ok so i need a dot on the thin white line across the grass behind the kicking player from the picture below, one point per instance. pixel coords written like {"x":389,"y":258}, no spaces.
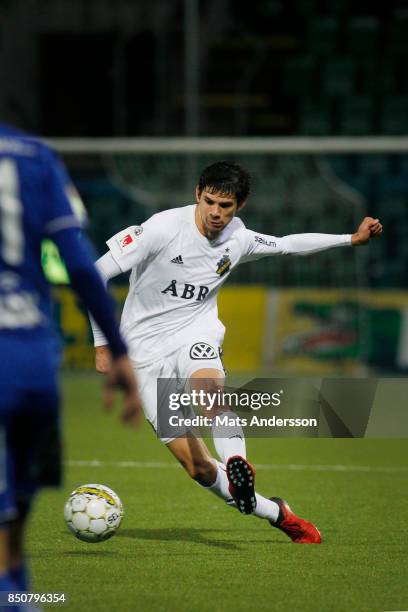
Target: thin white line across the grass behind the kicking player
{"x":259,"y":466}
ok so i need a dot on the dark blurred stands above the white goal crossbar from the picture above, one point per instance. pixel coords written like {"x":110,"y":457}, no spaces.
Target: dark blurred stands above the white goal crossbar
{"x":269,"y":67}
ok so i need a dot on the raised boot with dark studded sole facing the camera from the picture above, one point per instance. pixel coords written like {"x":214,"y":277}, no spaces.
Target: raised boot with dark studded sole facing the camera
{"x":241,"y":478}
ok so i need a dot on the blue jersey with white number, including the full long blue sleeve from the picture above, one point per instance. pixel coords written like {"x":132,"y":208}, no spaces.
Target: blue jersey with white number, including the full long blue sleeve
{"x":34,"y":205}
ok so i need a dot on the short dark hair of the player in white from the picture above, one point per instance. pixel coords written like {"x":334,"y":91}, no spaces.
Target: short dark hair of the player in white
{"x":228,"y":178}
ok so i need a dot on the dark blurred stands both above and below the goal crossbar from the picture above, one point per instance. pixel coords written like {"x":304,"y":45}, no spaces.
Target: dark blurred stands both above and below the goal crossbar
{"x":225,"y":68}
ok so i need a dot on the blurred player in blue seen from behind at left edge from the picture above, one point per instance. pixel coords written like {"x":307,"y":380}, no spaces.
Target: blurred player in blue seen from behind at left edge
{"x":33,"y":206}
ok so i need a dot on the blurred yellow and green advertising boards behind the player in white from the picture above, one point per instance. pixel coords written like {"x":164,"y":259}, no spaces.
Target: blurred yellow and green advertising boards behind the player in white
{"x":285,"y":331}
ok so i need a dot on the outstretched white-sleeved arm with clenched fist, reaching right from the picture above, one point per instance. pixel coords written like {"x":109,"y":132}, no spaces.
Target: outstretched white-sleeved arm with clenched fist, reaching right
{"x":261,"y":245}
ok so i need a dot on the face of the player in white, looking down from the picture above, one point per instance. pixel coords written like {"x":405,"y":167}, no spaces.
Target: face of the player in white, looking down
{"x":214,"y":211}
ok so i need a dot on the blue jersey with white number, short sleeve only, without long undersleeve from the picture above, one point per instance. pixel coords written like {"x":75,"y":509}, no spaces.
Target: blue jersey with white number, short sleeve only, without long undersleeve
{"x":33,"y":205}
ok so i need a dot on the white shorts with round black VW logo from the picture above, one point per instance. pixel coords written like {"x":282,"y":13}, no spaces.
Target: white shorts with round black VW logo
{"x":178,"y":366}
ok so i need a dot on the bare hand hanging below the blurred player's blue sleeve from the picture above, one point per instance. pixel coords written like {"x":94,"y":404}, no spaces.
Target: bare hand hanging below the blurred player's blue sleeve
{"x":121,"y":376}
